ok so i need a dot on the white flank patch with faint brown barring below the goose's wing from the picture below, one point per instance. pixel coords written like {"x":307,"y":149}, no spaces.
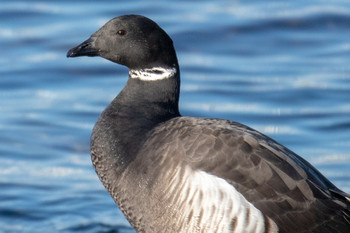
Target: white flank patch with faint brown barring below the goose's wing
{"x":209,"y":203}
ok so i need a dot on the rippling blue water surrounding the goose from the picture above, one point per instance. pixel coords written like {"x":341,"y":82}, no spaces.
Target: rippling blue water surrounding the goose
{"x":279,"y":67}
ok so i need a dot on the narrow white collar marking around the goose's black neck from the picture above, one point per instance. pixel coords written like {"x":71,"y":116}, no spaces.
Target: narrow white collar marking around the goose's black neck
{"x":153,"y":74}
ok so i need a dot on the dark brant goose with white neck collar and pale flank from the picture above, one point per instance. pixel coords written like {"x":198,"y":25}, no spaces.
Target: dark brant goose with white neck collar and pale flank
{"x":169,"y":173}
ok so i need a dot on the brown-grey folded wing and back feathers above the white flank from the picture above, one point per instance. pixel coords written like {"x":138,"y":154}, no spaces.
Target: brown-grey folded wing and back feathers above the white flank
{"x":281,"y":184}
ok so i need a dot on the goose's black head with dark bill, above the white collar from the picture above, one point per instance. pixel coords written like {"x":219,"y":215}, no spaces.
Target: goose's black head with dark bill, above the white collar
{"x":131,"y":40}
